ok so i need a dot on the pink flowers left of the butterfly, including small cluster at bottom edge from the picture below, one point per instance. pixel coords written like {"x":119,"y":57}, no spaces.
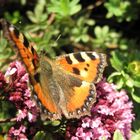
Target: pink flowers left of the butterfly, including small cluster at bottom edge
{"x":19,"y":94}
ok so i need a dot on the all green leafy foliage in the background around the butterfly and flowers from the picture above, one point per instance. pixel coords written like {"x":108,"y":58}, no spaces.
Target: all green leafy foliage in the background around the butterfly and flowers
{"x":65,"y":26}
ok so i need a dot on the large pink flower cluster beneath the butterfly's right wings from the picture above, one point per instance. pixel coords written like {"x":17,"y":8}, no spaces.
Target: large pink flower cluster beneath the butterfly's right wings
{"x":111,"y":111}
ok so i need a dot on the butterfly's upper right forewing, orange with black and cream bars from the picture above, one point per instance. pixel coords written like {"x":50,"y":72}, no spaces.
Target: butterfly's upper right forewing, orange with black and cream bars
{"x":87,"y":66}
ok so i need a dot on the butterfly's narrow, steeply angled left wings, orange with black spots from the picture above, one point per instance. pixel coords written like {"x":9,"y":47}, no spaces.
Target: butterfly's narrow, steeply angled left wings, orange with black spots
{"x":31,"y":61}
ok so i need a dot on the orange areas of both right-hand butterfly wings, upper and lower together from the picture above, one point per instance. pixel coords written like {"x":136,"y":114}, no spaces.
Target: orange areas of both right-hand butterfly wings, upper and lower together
{"x":88,"y":68}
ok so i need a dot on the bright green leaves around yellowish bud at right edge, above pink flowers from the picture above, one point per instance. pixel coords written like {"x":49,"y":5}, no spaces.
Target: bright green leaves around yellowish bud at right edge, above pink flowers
{"x":127,"y":73}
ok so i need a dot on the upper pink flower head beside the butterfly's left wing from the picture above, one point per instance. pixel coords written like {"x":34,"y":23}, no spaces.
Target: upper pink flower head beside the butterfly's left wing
{"x":19,"y":92}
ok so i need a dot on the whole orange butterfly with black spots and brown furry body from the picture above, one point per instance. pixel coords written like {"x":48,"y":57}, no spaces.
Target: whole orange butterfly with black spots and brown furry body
{"x":64,"y":85}
